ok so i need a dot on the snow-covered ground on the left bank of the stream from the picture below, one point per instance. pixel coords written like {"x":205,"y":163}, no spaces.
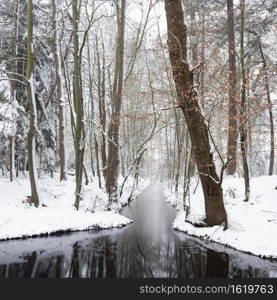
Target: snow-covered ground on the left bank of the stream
{"x":56,"y":212}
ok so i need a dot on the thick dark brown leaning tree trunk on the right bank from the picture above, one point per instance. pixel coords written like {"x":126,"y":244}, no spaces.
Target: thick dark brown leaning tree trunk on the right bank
{"x":197,"y":127}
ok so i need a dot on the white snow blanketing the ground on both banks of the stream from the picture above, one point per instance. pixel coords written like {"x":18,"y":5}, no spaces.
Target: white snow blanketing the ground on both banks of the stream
{"x":252,"y":226}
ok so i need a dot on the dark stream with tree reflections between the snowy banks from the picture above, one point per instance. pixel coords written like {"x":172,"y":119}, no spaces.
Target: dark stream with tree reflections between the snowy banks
{"x":148,"y":248}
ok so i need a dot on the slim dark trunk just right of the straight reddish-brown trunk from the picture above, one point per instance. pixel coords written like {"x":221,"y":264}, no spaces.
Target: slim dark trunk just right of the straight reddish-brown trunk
{"x":243,"y":117}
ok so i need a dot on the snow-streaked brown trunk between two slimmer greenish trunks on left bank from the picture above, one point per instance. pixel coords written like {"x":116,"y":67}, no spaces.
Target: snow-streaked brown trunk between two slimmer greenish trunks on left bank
{"x":60,"y":94}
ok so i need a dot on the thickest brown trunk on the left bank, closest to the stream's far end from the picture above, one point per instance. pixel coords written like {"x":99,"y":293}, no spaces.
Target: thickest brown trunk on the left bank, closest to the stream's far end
{"x":113,"y":153}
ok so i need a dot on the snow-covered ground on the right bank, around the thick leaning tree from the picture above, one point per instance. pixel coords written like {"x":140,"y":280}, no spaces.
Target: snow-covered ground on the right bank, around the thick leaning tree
{"x":252,"y":226}
